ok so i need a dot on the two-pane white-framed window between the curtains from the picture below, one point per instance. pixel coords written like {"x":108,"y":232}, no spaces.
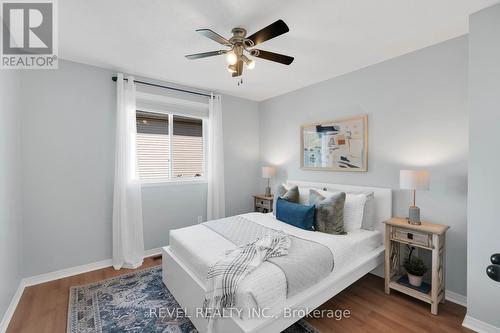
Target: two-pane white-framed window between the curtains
{"x":169,"y":147}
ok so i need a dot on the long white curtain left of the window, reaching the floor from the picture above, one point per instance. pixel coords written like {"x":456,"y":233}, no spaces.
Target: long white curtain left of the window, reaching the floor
{"x":128,"y":242}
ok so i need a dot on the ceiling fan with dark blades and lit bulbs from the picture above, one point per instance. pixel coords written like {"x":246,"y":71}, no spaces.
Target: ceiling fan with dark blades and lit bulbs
{"x":239,"y":45}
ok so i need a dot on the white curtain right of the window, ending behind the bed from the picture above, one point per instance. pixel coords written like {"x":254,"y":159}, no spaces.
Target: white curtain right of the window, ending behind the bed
{"x":216,"y":203}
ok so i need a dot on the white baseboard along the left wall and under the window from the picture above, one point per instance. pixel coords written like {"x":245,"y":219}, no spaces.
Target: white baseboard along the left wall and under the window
{"x":47,"y":277}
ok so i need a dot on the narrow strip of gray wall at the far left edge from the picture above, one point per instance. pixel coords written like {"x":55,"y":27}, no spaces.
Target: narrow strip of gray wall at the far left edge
{"x":10,"y":184}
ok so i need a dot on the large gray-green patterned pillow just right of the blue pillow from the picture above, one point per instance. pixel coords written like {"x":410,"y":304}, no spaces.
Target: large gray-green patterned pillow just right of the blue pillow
{"x":329,"y":216}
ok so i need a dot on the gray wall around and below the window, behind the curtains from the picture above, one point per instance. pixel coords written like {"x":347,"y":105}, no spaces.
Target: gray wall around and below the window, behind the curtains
{"x":68,"y":158}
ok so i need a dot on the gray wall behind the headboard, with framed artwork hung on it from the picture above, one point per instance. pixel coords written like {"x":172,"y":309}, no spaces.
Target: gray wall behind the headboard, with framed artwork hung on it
{"x":417,"y":116}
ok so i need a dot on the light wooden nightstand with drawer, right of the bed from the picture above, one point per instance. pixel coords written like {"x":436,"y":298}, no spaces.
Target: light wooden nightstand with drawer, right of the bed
{"x":428,"y":236}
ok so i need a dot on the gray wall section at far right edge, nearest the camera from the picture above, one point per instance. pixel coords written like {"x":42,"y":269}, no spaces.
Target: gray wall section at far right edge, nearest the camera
{"x":483,"y":302}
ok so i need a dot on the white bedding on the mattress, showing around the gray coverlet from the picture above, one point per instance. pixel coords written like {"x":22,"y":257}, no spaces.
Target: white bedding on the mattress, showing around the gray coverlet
{"x":199,"y":247}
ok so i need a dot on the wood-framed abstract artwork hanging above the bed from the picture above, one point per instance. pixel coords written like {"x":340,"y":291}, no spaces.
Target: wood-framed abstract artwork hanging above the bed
{"x":339,"y":145}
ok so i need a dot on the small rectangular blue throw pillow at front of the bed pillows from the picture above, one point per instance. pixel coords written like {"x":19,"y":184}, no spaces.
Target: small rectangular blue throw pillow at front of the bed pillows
{"x":300,"y":216}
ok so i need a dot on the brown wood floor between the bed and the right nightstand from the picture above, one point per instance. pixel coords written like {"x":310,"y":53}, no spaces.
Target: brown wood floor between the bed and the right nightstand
{"x":374,"y":311}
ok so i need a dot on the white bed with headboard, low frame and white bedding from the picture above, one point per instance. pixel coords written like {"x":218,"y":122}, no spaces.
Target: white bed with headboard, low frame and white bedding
{"x":192,"y":250}
